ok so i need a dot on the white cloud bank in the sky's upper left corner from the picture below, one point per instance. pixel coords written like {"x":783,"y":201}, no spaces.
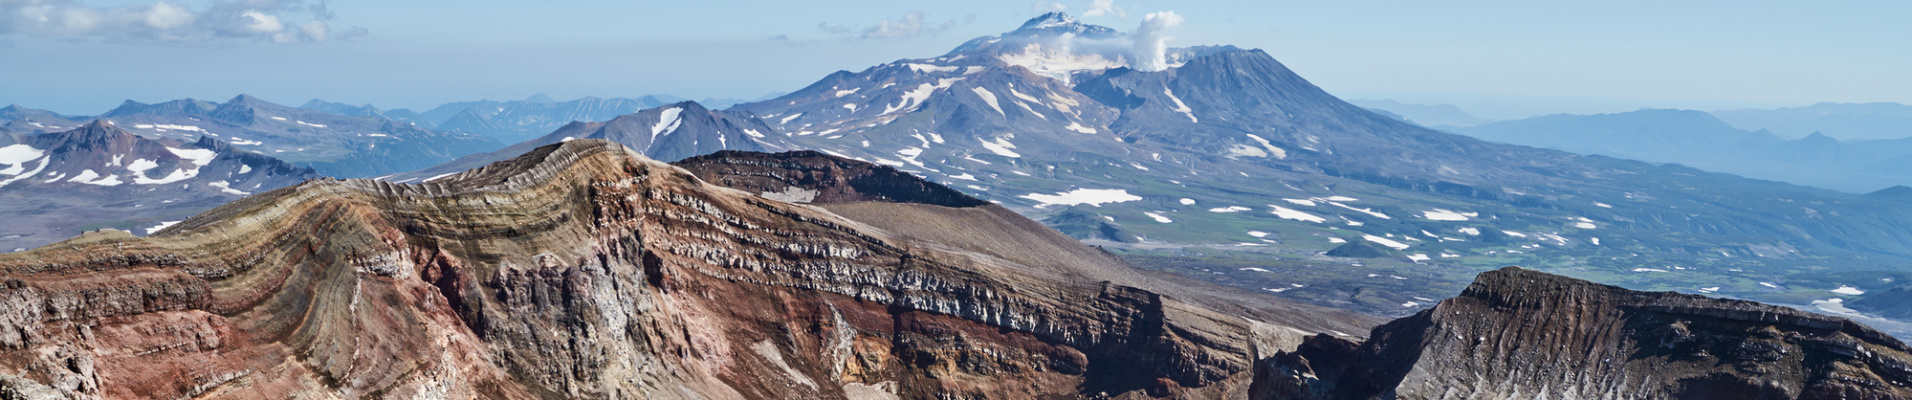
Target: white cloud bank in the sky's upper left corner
{"x":173,"y":24}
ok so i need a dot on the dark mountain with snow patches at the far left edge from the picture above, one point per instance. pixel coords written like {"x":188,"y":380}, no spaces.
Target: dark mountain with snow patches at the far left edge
{"x":58,"y":185}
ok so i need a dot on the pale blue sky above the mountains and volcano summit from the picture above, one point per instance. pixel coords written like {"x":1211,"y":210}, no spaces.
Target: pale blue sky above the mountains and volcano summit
{"x":1494,"y":58}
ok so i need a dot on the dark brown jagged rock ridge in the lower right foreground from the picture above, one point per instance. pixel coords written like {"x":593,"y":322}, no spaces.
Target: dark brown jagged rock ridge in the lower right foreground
{"x":1519,"y":334}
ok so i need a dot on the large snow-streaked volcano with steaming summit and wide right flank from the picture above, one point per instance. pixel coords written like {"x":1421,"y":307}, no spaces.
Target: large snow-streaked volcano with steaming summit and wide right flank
{"x":1227,"y":146}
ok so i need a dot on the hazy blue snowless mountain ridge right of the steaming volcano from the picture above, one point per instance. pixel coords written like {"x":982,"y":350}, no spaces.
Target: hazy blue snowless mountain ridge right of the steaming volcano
{"x":1703,"y":141}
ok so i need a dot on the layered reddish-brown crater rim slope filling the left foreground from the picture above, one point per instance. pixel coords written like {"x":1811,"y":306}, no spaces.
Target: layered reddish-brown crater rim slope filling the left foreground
{"x":584,"y":271}
